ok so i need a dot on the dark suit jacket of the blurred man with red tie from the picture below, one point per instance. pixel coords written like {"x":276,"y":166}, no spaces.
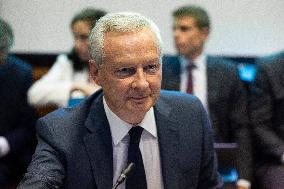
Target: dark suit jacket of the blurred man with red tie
{"x":227,"y":101}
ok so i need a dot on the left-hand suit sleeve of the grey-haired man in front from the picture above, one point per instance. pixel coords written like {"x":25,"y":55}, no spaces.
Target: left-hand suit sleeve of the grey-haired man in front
{"x":46,"y":170}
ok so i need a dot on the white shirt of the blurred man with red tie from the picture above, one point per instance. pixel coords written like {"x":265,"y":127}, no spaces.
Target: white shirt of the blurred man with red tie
{"x":199,"y":78}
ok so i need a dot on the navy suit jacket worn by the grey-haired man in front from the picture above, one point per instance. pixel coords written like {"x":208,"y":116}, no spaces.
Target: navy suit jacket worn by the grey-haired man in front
{"x":75,"y":146}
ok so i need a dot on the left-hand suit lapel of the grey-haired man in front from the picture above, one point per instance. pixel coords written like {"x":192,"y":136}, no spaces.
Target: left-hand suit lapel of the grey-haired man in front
{"x":98,"y":144}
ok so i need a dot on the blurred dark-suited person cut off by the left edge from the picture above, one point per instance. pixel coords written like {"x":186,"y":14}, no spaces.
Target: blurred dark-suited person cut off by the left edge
{"x":17,"y":119}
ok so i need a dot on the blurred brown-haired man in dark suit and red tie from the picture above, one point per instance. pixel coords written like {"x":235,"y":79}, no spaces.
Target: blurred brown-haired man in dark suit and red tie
{"x":213,"y":80}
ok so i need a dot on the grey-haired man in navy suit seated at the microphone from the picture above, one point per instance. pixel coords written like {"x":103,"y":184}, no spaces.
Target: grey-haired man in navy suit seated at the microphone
{"x":165,"y":135}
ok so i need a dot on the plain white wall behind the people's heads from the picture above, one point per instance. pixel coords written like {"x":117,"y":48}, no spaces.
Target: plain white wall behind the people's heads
{"x":239,"y":27}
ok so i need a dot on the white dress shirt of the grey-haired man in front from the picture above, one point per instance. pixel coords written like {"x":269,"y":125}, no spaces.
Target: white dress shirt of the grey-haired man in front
{"x":149,"y":147}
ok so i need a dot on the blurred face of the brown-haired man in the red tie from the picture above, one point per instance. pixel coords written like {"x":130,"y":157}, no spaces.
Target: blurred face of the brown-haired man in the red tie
{"x":189,"y":39}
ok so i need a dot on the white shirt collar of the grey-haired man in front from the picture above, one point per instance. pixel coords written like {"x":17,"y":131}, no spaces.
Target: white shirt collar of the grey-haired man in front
{"x":119,"y":128}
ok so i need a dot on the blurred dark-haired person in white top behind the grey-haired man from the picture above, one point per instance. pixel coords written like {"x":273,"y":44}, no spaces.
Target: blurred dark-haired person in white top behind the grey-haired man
{"x":69,"y":76}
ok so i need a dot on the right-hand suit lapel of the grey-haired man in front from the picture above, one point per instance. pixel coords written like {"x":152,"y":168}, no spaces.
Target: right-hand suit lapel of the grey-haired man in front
{"x":168,"y":138}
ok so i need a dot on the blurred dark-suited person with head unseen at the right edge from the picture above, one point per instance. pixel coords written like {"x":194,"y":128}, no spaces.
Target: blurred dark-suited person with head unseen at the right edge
{"x":267,"y":115}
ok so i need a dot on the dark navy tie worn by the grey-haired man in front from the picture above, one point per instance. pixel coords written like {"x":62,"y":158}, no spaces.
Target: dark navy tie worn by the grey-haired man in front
{"x":137,"y":180}
